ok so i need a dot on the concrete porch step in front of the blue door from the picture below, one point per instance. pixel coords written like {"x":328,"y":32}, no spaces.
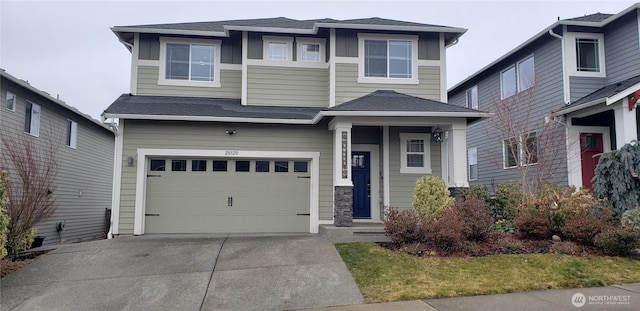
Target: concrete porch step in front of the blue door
{"x":359,"y":232}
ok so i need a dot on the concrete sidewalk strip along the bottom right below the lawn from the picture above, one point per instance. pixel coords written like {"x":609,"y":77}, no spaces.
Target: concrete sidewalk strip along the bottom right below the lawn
{"x":617,"y":297}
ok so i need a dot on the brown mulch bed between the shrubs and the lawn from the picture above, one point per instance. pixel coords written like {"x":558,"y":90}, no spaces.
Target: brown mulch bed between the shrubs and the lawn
{"x":495,"y":244}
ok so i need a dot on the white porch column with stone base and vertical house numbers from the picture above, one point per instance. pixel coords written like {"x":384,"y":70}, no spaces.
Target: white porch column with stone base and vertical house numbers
{"x":342,"y":184}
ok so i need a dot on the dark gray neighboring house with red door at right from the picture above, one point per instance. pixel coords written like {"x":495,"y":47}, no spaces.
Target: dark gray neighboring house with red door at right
{"x":583,"y":73}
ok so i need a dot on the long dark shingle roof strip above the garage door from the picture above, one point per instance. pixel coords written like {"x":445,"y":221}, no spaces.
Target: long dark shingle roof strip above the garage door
{"x":128,"y":104}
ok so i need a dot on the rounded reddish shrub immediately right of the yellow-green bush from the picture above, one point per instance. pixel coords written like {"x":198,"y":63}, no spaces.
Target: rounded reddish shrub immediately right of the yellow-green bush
{"x":474,"y":213}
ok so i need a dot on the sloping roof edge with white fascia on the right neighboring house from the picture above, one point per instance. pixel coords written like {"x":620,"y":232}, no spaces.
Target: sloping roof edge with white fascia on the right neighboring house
{"x":593,"y":20}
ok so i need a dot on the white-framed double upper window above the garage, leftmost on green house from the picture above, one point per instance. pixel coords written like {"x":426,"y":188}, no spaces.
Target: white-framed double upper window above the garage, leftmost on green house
{"x":189,"y":62}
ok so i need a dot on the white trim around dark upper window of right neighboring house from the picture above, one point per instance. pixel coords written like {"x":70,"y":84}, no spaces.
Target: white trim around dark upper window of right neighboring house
{"x":570,"y":48}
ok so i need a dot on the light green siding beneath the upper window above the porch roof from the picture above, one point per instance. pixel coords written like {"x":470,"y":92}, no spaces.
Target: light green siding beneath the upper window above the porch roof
{"x":348,"y":88}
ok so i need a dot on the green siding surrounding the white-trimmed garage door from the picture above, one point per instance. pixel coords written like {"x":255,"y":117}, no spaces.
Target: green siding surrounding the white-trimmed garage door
{"x":212,"y":136}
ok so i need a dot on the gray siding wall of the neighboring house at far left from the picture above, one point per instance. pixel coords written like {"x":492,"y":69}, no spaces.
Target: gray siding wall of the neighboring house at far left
{"x":88,"y":168}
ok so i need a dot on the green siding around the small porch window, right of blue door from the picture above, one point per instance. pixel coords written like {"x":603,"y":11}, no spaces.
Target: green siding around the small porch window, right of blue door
{"x":402,"y":185}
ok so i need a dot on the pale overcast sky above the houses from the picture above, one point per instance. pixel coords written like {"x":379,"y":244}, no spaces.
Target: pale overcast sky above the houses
{"x":66,"y":48}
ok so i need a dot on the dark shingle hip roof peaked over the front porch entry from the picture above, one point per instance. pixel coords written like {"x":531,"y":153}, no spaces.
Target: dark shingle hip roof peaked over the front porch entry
{"x":384,"y":100}
